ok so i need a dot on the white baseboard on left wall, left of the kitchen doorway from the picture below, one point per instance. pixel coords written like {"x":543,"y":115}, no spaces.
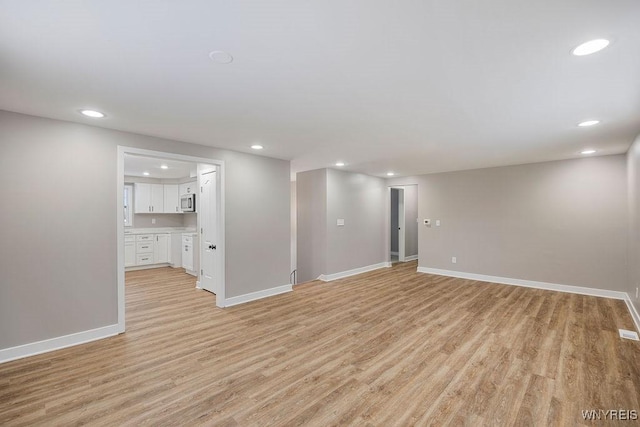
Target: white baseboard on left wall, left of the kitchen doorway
{"x":57,"y":343}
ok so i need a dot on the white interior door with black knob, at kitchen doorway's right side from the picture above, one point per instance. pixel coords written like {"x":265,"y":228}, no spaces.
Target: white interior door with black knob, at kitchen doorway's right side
{"x":208,"y":232}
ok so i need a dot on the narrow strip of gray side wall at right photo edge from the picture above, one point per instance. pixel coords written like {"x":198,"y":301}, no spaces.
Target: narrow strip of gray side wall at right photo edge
{"x":633,"y":170}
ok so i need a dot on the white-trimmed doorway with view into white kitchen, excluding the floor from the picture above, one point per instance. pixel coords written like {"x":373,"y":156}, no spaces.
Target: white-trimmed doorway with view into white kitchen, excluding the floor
{"x":173,"y":207}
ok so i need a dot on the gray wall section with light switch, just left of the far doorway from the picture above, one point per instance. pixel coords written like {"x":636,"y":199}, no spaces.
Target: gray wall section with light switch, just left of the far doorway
{"x":359,"y":200}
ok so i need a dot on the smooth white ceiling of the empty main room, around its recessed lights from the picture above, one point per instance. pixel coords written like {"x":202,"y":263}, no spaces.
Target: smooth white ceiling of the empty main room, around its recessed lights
{"x":410,"y":86}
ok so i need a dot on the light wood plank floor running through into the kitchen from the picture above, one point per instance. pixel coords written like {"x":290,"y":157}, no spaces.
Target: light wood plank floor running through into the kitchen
{"x":390,"y":347}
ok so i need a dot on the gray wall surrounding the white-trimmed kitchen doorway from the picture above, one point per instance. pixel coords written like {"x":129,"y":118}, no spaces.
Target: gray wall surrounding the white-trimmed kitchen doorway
{"x":58,"y":259}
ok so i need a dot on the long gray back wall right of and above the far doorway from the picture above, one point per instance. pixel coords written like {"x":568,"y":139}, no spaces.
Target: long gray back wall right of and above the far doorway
{"x":562,"y":222}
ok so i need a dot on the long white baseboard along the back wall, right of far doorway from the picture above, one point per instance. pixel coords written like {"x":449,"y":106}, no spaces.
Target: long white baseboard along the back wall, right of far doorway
{"x":527,"y":283}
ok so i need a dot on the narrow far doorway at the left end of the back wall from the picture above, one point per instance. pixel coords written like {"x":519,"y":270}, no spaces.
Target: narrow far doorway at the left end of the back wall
{"x":403,"y":224}
